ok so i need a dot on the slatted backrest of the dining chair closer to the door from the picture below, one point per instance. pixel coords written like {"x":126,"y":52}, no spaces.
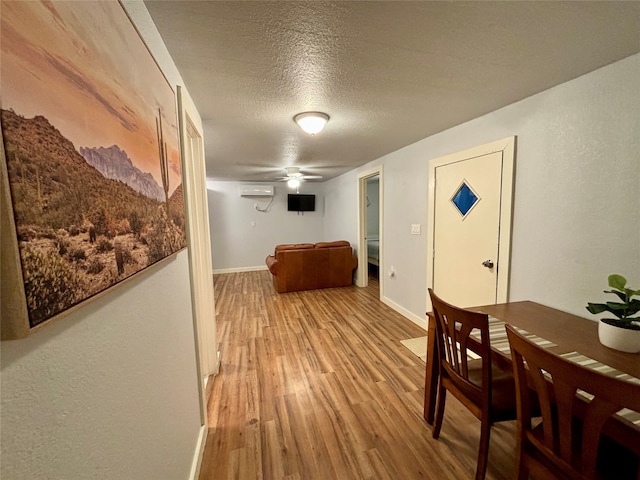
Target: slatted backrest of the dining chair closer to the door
{"x":454,"y":328}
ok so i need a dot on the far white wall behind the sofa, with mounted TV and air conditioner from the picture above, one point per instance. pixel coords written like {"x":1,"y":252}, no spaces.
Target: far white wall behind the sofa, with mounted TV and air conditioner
{"x":242,"y":237}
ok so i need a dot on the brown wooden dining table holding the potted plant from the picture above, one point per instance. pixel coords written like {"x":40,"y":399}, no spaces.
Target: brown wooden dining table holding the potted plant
{"x":567,"y":333}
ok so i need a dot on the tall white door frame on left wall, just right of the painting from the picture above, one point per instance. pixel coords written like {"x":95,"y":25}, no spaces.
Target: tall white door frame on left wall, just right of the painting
{"x":200,"y":265}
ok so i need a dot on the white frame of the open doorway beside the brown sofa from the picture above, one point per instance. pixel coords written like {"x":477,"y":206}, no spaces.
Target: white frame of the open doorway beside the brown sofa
{"x":362,"y":273}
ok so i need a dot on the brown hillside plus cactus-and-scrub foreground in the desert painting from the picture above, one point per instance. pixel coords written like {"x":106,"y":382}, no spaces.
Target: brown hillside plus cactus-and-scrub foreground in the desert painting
{"x":78,"y":231}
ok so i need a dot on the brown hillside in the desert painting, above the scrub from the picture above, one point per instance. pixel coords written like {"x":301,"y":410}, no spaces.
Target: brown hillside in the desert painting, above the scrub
{"x":52,"y":184}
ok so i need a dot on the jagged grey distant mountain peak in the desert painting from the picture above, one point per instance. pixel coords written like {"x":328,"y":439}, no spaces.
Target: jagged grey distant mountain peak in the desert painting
{"x":115,"y":164}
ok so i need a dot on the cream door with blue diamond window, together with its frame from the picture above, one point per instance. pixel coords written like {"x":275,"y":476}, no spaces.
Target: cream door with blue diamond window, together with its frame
{"x":471,"y":225}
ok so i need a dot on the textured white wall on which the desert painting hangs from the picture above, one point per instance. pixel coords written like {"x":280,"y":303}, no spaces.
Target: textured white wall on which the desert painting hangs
{"x":109,"y":392}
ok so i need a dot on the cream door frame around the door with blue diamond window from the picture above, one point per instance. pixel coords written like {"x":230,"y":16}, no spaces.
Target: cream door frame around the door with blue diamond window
{"x":507,"y":147}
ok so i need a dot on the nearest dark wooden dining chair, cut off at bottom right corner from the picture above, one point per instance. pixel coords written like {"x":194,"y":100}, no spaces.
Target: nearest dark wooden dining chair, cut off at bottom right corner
{"x":575,"y":403}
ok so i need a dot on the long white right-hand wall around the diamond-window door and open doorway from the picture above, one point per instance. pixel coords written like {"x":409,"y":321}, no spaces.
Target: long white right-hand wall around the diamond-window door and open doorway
{"x":576,"y":192}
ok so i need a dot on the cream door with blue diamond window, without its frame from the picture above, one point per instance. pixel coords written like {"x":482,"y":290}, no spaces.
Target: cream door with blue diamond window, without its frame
{"x":467,"y":230}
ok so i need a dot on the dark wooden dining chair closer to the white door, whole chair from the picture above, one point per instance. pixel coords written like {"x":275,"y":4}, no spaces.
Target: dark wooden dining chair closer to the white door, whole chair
{"x":480,"y":385}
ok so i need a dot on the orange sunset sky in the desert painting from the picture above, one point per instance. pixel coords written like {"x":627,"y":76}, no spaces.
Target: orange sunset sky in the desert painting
{"x":83,"y":66}
